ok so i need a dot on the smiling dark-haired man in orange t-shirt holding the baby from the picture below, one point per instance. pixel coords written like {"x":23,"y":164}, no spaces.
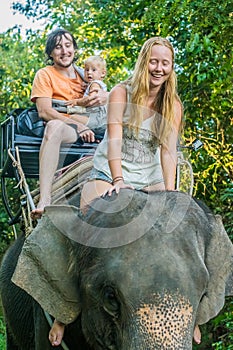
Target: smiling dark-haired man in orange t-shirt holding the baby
{"x":59,"y":81}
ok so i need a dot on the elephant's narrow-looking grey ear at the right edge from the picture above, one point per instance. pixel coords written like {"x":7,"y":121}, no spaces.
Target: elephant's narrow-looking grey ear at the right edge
{"x":219,"y":262}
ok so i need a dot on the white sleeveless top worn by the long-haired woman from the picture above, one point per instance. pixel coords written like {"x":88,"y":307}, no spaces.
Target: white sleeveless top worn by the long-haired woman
{"x":141,"y":166}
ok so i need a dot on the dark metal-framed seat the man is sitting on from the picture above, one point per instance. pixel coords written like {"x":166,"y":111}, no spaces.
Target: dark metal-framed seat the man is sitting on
{"x":28,"y":149}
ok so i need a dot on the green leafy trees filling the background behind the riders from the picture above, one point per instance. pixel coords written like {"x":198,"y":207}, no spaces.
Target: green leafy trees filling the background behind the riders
{"x":202,"y":34}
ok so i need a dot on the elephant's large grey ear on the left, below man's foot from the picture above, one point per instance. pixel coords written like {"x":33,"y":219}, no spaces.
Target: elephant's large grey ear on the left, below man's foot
{"x":43,"y":271}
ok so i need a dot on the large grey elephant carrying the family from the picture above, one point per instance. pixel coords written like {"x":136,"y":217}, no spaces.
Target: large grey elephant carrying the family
{"x":137,"y":272}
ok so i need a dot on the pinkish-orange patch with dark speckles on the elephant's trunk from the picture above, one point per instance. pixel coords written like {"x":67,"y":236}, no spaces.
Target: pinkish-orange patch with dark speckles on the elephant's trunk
{"x":167,"y":317}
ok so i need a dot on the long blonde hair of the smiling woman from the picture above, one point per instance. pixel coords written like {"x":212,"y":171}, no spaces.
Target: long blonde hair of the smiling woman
{"x":165,"y":101}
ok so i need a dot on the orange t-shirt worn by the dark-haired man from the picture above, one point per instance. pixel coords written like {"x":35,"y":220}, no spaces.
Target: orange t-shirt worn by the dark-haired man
{"x":48,"y":82}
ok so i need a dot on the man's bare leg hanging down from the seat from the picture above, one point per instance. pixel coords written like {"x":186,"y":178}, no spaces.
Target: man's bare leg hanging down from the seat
{"x":56,"y":132}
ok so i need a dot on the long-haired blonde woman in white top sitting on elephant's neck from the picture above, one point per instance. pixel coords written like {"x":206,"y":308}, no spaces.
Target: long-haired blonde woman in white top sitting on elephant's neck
{"x":144,"y":119}
